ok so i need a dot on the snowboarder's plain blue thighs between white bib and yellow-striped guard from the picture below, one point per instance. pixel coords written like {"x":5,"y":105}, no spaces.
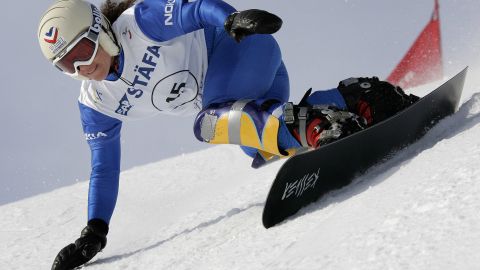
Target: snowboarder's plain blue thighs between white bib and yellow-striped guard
{"x":245,"y":70}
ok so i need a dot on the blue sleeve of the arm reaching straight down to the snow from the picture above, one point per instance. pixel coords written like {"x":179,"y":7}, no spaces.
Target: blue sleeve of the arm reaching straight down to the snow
{"x":103,"y":136}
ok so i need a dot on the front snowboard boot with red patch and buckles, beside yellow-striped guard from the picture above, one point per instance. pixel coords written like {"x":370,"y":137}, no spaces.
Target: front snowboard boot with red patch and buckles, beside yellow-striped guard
{"x":316,"y":125}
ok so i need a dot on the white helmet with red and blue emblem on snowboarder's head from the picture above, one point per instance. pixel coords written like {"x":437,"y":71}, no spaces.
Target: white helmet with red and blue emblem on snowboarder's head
{"x":67,"y":21}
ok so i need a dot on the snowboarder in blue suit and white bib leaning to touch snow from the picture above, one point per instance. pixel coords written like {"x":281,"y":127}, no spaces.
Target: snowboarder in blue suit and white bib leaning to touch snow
{"x":177,"y":57}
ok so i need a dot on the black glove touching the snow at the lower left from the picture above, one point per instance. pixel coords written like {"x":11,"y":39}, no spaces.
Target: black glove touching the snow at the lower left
{"x":92,"y":240}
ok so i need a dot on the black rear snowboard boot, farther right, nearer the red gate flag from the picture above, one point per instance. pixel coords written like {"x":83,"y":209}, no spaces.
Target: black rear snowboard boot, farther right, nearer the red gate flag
{"x":373,"y":99}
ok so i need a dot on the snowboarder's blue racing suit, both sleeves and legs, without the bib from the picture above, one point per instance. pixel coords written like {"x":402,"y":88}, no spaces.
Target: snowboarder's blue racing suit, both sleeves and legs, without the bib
{"x":252,"y":69}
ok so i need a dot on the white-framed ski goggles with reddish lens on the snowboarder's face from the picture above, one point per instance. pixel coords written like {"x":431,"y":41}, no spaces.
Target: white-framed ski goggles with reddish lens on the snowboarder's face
{"x":81,"y":51}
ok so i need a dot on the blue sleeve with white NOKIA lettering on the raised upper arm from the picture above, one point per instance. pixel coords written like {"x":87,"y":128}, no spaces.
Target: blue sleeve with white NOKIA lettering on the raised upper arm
{"x":167,"y":19}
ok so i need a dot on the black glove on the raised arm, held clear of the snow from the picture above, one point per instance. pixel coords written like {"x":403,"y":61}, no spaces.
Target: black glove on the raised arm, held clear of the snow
{"x":252,"y":21}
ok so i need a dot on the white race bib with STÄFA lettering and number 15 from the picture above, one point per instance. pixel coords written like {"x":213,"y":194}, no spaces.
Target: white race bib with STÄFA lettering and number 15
{"x":157,"y":77}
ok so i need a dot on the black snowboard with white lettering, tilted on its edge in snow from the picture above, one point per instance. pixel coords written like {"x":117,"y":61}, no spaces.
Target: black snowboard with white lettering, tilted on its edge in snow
{"x":305,"y":177}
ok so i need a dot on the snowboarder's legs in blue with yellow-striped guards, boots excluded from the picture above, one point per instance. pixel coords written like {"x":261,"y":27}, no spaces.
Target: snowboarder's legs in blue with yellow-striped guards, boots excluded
{"x":246,"y":89}
